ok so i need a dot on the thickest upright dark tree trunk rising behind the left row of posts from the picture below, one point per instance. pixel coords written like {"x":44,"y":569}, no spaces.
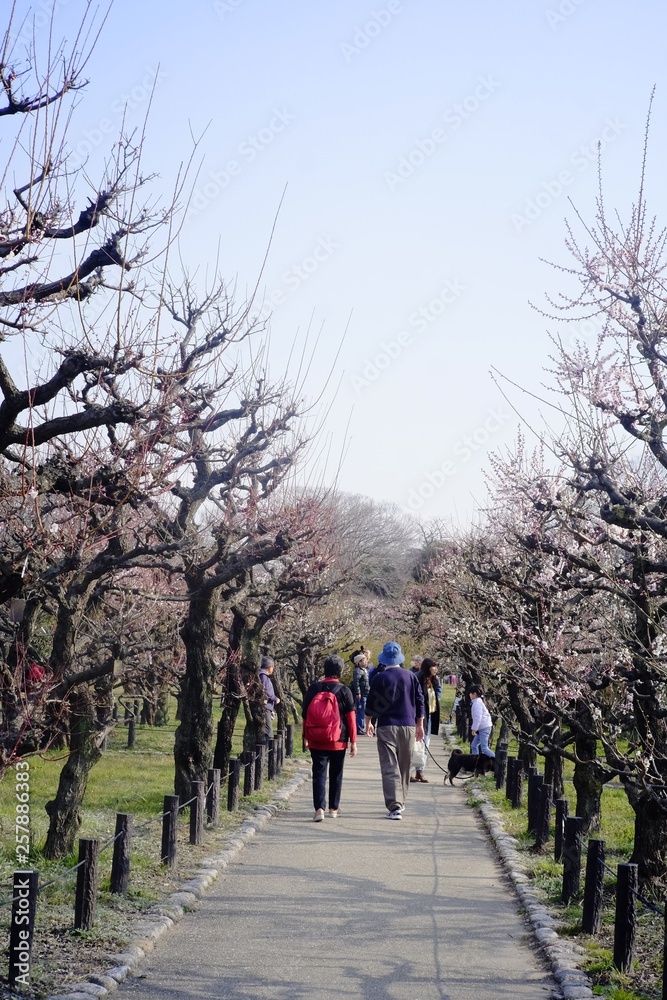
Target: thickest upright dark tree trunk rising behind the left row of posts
{"x":192,"y":746}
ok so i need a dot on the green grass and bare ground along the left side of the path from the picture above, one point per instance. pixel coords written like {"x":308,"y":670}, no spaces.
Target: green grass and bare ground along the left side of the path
{"x":133,"y":781}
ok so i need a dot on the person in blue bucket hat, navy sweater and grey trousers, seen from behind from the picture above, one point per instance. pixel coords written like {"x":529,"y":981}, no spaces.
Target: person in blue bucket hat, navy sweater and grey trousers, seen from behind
{"x":396,"y":699}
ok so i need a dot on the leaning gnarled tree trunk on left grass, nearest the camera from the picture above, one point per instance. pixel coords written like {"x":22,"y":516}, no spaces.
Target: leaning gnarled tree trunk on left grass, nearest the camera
{"x":64,"y":810}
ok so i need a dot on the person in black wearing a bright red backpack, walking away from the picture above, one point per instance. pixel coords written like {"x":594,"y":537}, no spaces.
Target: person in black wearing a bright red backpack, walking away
{"x":329,"y":723}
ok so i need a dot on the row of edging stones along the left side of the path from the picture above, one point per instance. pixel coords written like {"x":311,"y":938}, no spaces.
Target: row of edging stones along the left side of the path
{"x":151,"y":925}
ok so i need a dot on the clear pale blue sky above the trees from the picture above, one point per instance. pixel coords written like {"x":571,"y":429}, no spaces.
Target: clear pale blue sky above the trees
{"x":429,"y":148}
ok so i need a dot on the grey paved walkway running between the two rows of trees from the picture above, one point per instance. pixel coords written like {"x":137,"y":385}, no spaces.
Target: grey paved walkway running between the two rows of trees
{"x":359,"y":907}
